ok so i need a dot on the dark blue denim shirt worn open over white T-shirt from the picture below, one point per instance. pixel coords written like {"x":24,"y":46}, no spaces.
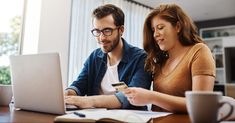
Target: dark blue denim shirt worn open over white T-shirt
{"x":130,"y":70}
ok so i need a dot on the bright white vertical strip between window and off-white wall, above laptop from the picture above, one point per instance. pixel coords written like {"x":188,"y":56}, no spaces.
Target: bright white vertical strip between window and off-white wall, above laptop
{"x":31,"y":25}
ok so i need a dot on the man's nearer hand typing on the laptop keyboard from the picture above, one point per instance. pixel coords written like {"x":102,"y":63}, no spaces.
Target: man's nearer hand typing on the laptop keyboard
{"x":81,"y":102}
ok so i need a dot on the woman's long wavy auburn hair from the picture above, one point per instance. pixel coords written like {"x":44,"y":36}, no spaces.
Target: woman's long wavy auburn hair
{"x":188,"y":34}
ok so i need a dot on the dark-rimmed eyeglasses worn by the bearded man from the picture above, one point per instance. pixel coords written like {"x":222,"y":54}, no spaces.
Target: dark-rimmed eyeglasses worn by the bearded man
{"x":105,"y":31}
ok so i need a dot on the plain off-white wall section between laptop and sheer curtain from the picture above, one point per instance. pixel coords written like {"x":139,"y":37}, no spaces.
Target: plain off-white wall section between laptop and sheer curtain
{"x":54,"y":30}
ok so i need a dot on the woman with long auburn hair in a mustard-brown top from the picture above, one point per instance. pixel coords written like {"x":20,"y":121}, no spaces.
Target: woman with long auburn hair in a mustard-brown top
{"x":177,"y":58}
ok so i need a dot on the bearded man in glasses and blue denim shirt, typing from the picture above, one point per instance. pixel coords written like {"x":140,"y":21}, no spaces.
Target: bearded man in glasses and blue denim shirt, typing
{"x":113,"y":62}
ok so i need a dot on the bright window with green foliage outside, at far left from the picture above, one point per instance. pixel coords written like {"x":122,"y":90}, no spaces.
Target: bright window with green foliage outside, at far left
{"x":11,"y":14}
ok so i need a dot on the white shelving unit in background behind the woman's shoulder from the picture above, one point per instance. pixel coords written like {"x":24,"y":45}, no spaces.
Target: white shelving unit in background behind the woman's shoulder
{"x":221,"y":41}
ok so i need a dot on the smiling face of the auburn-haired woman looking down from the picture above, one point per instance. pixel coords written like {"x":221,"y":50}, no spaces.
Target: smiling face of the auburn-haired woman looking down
{"x":165,"y":35}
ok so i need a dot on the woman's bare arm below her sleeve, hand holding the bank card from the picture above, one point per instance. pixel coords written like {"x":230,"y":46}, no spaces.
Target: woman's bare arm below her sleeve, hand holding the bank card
{"x":139,"y":96}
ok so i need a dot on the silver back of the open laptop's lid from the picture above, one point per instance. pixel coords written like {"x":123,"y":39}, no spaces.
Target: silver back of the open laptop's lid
{"x":37,"y":83}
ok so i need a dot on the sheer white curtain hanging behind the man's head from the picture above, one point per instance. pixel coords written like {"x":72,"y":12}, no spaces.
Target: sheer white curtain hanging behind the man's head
{"x":82,"y":43}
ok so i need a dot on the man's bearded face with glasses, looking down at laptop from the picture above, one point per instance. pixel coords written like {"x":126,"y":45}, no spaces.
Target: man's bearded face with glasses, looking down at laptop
{"x":108,"y":33}
